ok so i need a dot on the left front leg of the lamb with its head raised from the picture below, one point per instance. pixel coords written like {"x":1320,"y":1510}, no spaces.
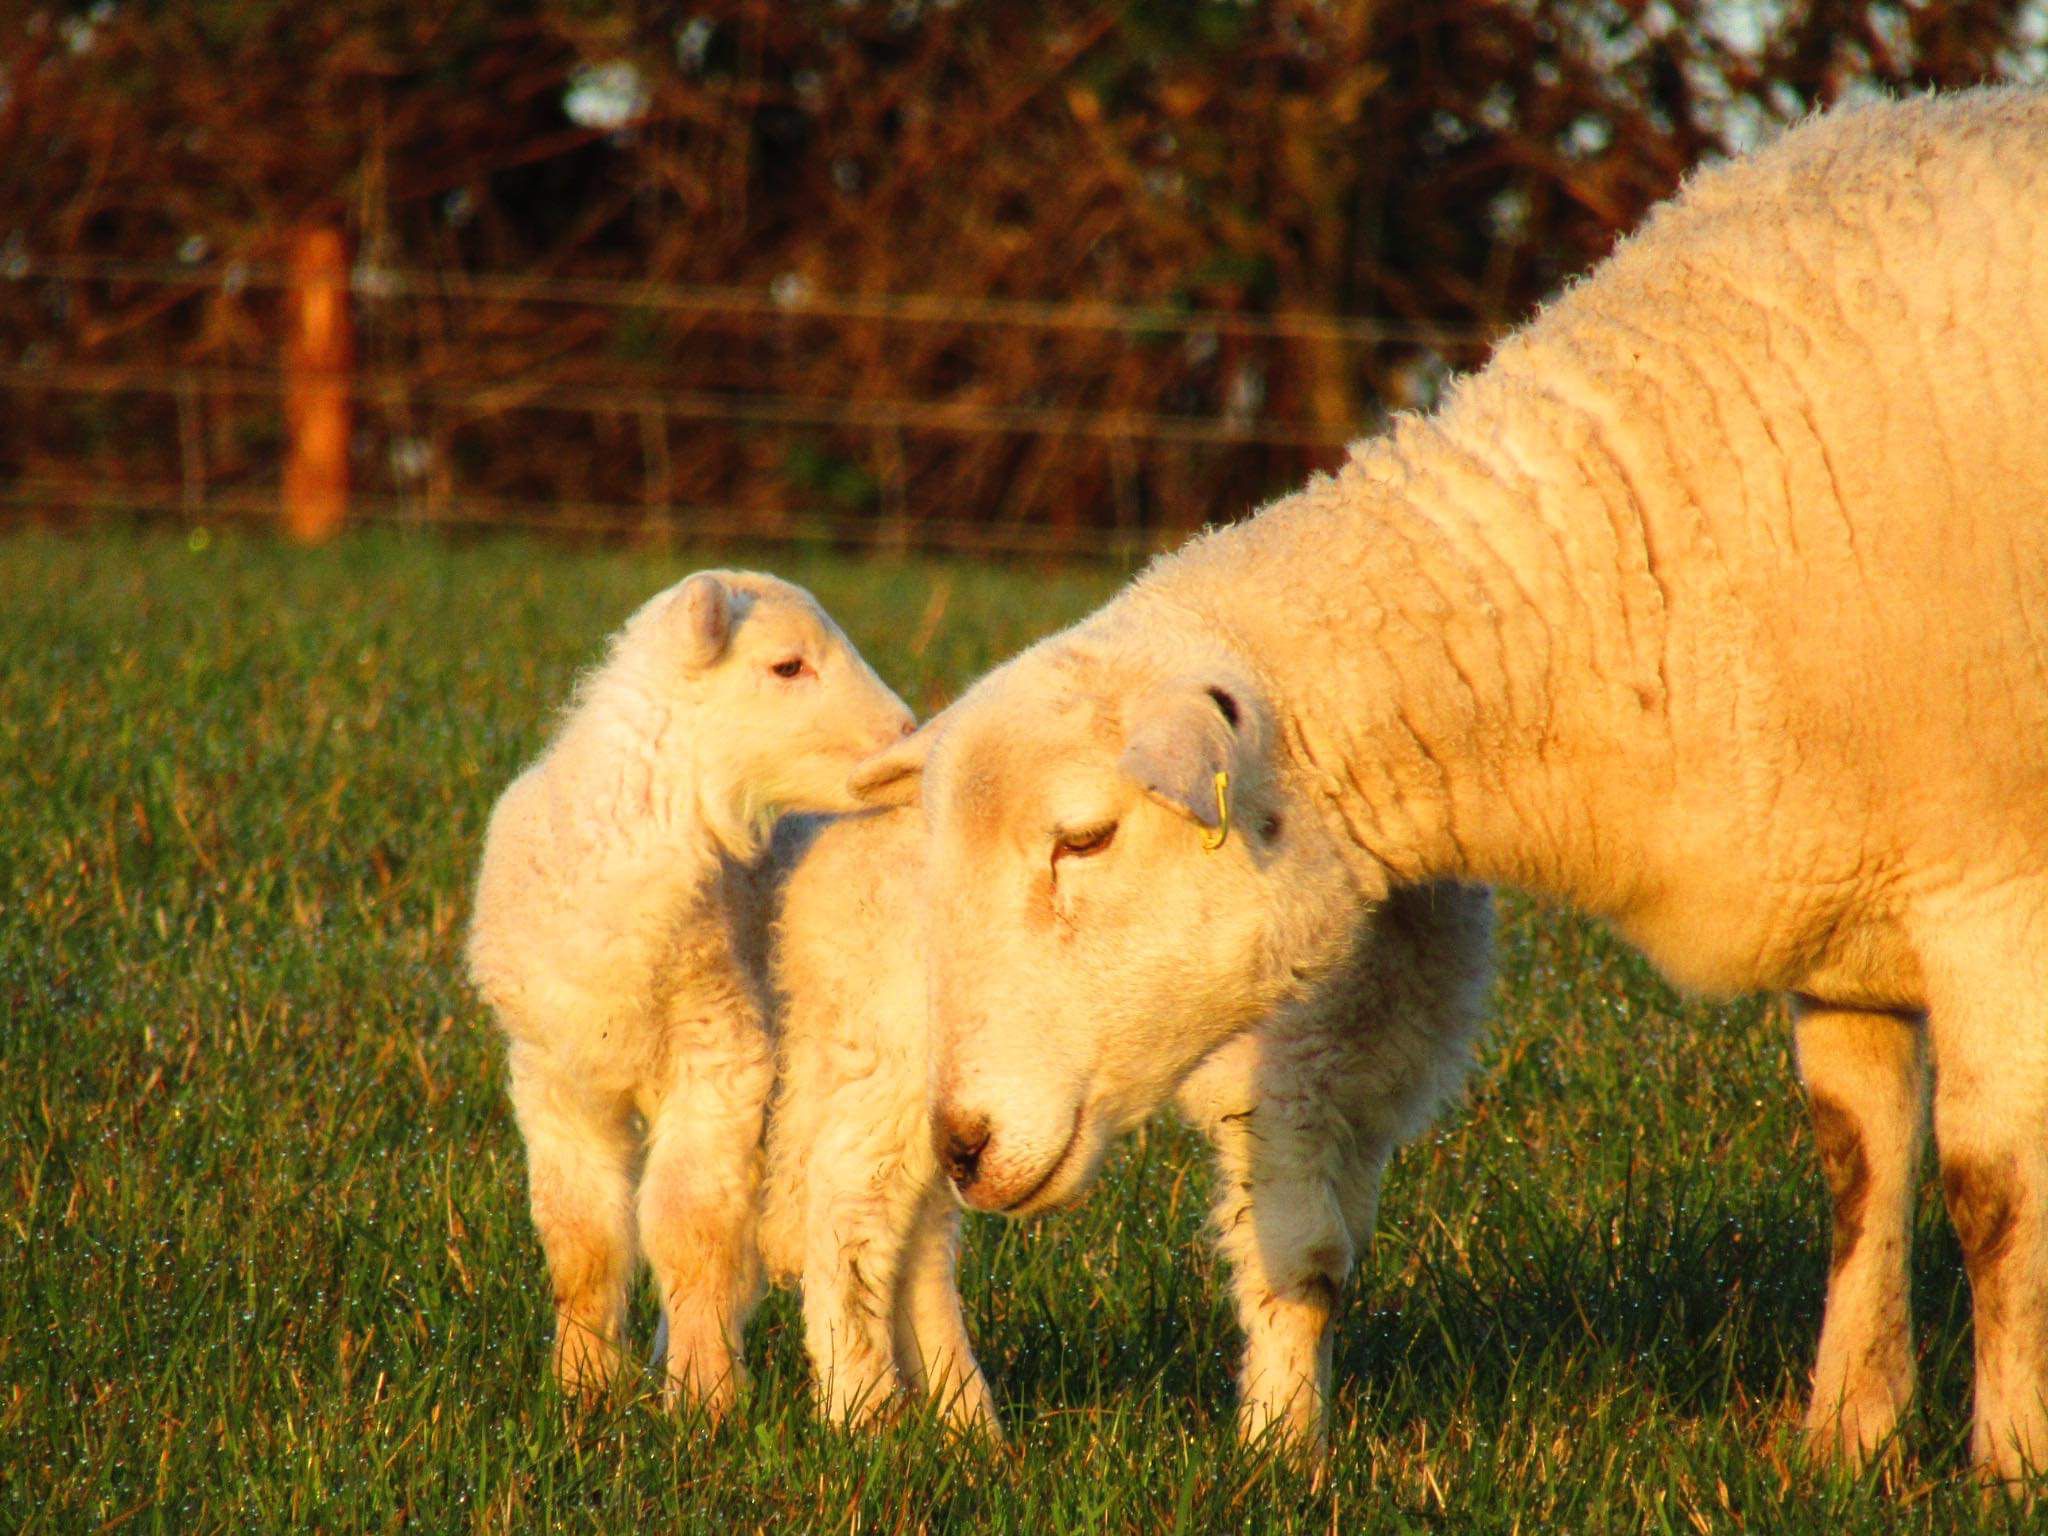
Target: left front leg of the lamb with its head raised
{"x":581,"y":1183}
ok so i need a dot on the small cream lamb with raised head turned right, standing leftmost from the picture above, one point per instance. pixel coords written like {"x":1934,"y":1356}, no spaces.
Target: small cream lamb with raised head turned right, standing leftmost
{"x":605,"y":945}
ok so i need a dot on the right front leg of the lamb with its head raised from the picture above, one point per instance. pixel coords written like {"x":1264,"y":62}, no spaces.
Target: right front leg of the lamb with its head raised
{"x":697,"y":1211}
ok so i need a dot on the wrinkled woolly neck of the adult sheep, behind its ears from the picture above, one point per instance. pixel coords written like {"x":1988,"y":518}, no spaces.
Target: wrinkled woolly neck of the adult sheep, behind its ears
{"x":1480,"y":706}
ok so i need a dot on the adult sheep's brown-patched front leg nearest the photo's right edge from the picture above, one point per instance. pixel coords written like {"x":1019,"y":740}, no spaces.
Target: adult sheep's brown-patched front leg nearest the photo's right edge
{"x":1990,"y":1031}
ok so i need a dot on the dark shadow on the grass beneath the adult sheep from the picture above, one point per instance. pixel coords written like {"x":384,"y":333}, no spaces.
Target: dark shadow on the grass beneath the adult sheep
{"x":1705,"y":1299}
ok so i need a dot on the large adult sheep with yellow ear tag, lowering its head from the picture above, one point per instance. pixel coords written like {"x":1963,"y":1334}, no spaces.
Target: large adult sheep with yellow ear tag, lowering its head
{"x":1715,"y":605}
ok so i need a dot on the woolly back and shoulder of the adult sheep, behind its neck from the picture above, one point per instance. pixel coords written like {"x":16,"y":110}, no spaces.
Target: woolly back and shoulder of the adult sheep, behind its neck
{"x":1795,"y":433}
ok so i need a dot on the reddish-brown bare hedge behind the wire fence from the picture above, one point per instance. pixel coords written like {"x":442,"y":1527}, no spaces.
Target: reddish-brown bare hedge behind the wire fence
{"x":1437,"y":167}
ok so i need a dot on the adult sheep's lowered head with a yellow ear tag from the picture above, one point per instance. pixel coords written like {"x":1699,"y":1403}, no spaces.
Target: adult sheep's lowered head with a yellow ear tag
{"x":1125,"y":873}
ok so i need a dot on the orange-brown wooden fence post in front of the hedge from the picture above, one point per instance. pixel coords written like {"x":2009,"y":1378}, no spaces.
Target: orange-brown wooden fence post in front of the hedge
{"x":318,"y":359}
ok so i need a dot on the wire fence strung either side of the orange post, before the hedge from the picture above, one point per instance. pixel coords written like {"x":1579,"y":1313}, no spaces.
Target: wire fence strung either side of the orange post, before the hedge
{"x":663,"y":411}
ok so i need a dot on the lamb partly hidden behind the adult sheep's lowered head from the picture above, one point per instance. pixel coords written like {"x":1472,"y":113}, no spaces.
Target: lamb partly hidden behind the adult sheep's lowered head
{"x":1302,"y":1115}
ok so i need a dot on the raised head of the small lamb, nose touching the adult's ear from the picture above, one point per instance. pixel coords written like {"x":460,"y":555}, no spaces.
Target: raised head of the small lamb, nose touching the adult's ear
{"x":779,"y":703}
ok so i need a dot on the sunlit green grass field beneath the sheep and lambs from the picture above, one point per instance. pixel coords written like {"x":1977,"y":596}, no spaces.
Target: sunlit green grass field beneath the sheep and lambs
{"x":265,"y":1258}
